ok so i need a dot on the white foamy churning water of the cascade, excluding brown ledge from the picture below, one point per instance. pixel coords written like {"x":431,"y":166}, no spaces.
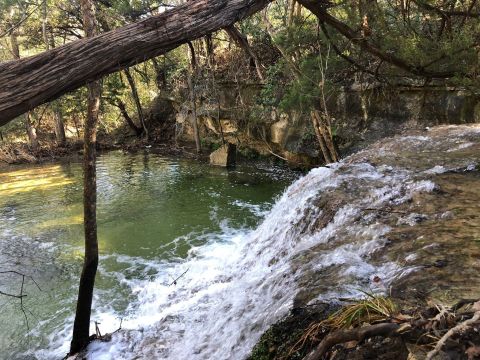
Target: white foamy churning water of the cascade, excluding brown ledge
{"x":231,"y":289}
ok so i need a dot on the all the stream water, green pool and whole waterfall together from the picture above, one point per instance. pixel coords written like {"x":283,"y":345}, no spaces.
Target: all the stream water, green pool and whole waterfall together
{"x":399,"y":217}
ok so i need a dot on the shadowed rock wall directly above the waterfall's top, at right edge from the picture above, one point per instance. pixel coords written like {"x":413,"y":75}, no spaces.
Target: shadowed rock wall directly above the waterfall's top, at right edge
{"x":366,"y":115}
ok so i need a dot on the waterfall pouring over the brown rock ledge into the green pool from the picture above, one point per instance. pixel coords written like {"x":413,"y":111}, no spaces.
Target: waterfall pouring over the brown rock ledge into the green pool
{"x":325,"y":237}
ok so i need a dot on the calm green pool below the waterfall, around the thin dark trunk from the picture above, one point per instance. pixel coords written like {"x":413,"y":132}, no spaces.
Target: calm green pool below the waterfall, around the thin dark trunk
{"x":153,"y":213}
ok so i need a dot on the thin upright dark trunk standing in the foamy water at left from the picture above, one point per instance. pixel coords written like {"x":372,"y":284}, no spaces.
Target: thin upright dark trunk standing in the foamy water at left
{"x":81,"y":325}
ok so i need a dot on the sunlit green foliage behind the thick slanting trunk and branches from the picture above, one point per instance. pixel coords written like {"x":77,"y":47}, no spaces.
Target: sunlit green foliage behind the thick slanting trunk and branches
{"x":312,"y":69}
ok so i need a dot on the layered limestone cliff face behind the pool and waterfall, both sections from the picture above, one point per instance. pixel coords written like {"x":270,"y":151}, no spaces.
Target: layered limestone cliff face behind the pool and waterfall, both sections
{"x":361,"y":115}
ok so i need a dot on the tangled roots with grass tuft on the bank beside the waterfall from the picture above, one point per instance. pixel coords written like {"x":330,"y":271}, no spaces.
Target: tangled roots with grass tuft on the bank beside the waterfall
{"x":378,"y":317}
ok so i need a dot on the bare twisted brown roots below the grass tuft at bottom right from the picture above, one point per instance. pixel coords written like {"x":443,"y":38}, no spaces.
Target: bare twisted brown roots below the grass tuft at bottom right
{"x":410,"y":327}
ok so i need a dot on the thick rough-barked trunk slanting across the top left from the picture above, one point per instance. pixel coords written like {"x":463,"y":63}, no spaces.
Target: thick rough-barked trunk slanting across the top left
{"x":29,"y":82}
